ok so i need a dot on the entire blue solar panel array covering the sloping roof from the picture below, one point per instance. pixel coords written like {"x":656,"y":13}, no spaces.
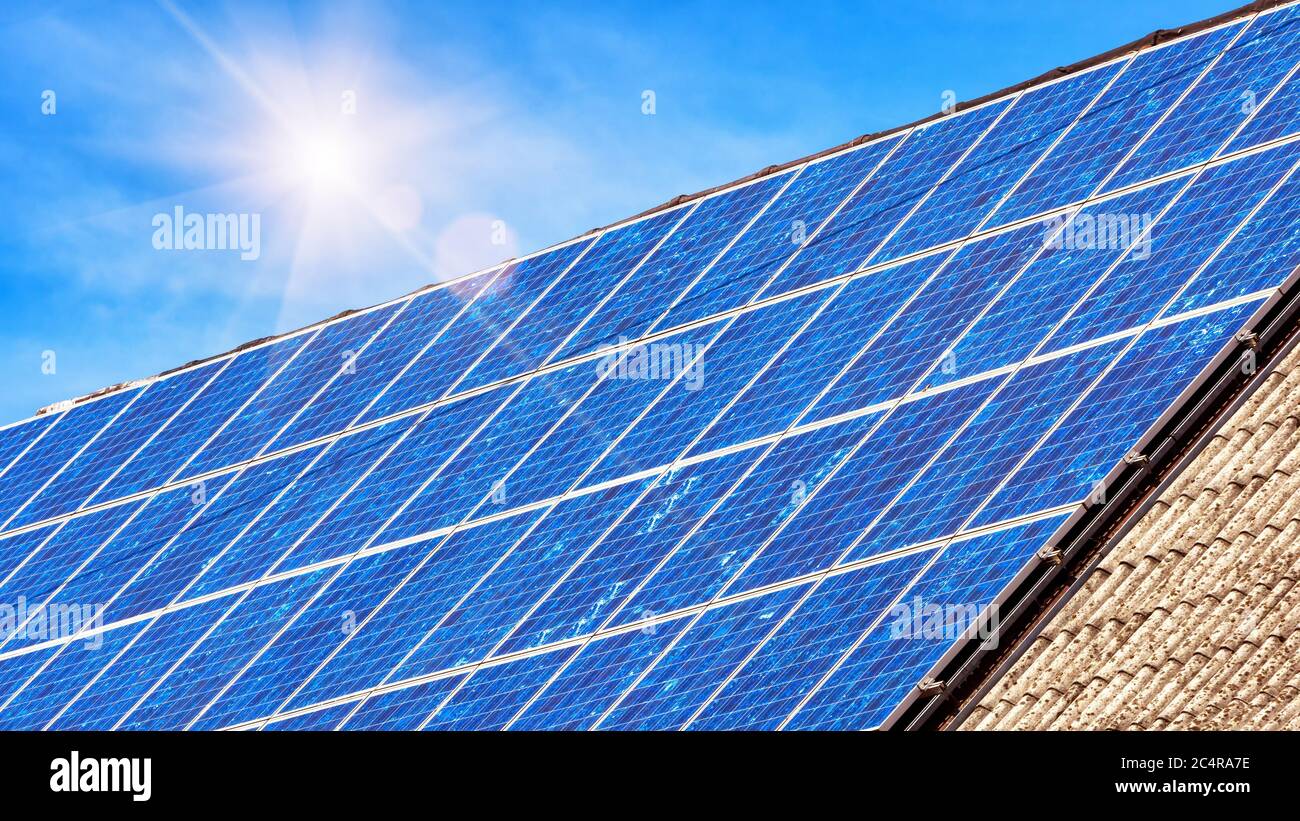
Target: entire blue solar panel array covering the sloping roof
{"x":683,"y":472}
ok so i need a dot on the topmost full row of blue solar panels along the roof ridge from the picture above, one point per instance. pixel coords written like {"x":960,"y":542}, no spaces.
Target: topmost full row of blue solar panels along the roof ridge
{"x":978,"y":171}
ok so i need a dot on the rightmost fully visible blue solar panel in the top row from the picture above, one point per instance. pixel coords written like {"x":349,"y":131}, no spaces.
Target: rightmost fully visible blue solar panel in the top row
{"x":1102,"y":138}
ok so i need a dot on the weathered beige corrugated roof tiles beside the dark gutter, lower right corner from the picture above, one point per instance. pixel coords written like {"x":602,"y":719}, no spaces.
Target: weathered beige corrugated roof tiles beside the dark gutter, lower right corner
{"x":1194,"y":620}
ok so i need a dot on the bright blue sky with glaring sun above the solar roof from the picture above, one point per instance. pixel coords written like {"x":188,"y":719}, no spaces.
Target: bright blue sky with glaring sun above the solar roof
{"x":389,"y":145}
